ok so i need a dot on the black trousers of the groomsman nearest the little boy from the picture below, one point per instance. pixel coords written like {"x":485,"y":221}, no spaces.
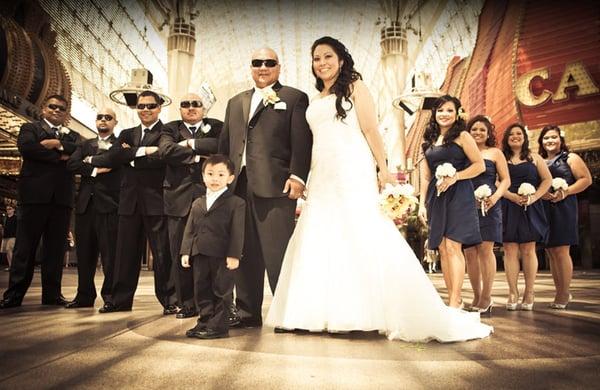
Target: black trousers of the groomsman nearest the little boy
{"x":183,"y":278}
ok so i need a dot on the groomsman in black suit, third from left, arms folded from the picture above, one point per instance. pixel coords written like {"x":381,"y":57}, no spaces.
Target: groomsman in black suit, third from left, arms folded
{"x":141,"y":208}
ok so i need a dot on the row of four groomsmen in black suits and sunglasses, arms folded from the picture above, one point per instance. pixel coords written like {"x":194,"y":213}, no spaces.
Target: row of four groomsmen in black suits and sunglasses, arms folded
{"x":137,"y":187}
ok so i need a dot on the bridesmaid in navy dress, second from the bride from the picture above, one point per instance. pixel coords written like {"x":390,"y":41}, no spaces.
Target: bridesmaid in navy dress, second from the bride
{"x":481,"y":262}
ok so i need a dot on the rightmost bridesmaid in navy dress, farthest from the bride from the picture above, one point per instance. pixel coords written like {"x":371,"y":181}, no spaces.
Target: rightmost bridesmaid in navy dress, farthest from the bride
{"x":561,"y":208}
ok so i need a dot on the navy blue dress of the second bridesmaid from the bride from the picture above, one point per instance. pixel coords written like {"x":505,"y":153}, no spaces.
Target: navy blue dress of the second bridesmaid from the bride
{"x":490,"y":225}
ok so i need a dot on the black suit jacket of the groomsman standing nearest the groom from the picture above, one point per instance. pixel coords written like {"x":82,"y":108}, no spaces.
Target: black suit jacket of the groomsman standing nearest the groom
{"x":183,"y":177}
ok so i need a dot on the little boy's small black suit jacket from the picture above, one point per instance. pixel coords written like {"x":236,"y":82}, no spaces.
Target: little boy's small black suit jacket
{"x":218,"y":232}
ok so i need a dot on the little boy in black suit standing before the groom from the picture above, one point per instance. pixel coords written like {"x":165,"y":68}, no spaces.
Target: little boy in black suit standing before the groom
{"x":212,"y":245}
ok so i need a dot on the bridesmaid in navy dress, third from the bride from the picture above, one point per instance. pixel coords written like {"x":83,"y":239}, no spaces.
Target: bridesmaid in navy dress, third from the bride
{"x":523,"y":219}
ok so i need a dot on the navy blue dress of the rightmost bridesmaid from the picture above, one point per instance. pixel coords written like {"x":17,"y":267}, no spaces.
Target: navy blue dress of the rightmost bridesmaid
{"x":562,"y":216}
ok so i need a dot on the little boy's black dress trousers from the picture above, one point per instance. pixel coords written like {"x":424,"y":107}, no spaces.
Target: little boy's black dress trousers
{"x":213,"y":286}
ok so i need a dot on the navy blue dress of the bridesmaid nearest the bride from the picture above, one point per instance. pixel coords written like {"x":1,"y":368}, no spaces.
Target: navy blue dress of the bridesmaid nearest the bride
{"x":453,"y":214}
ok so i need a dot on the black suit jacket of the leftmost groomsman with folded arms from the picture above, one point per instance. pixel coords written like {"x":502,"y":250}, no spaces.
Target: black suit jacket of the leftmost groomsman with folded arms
{"x":44,"y":177}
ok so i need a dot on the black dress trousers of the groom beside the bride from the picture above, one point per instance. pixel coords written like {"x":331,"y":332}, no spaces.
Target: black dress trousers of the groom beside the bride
{"x":269,"y":226}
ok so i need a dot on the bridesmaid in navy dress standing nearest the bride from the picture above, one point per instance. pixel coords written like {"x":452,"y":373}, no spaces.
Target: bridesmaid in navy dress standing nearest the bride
{"x":448,"y":207}
